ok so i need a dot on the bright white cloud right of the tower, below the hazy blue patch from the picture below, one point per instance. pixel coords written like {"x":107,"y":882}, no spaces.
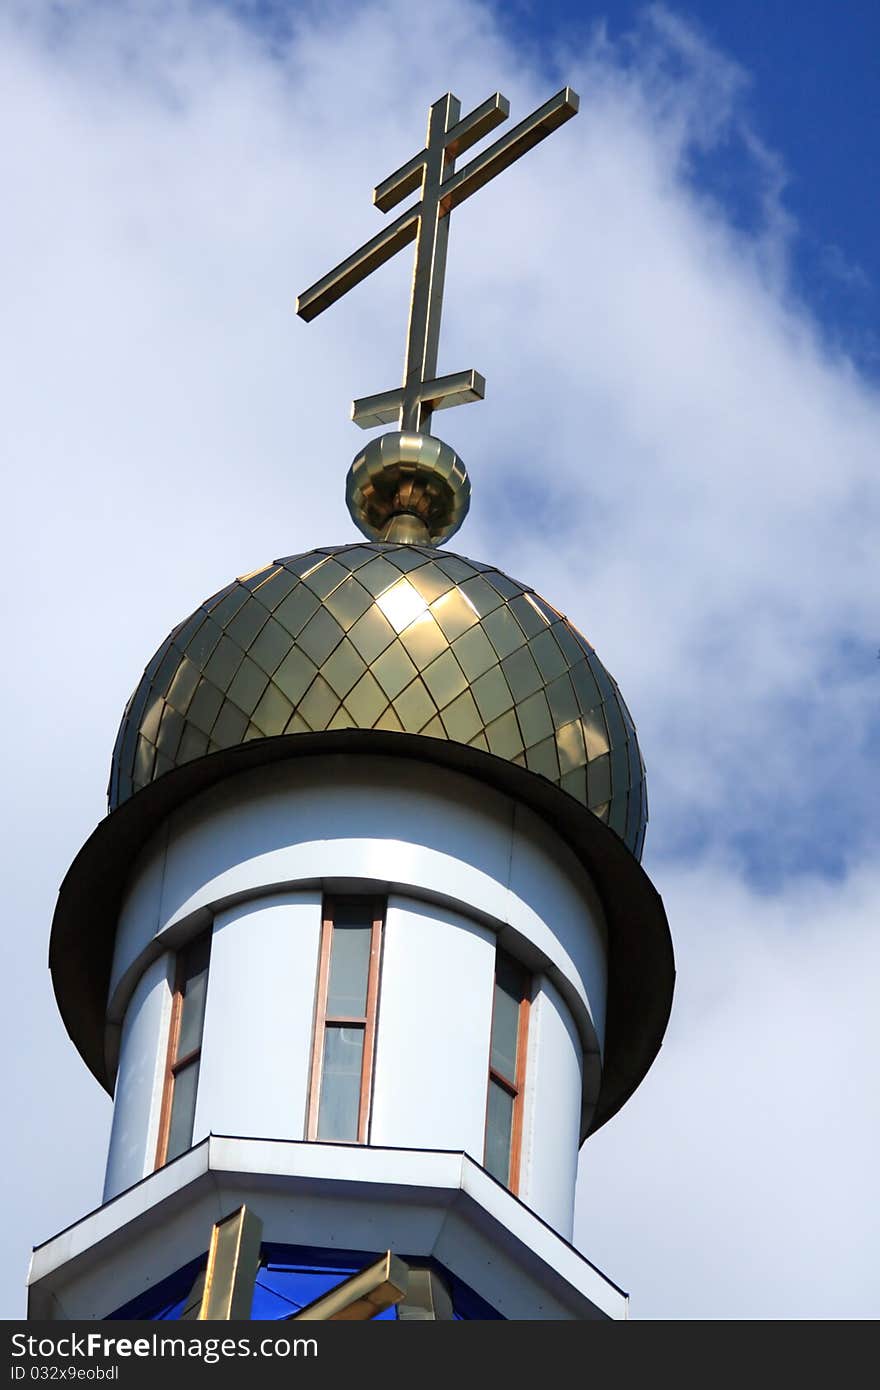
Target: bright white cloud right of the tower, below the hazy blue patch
{"x":740,"y":1181}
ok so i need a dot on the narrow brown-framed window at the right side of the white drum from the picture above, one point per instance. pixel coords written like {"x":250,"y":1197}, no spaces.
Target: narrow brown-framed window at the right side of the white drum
{"x":504,"y":1120}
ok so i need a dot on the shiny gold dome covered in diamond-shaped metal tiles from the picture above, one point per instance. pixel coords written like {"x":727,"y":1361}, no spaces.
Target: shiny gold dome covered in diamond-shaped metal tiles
{"x":400,"y":639}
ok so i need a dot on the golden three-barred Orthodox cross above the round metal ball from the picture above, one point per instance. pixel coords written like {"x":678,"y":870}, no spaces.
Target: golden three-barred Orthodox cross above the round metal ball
{"x":427,"y":224}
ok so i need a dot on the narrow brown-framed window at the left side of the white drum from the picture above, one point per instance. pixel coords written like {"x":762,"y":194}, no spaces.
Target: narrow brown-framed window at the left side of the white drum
{"x":179,"y":1110}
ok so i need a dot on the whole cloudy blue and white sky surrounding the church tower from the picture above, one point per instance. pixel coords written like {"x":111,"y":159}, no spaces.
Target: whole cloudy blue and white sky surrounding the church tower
{"x":675,"y":304}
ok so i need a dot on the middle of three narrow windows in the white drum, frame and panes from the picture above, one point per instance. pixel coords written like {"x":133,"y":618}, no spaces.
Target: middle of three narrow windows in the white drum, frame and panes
{"x":345,"y":1020}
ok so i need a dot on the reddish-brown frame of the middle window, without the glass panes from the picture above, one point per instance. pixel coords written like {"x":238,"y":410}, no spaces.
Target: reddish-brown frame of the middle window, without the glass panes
{"x":377,"y":908}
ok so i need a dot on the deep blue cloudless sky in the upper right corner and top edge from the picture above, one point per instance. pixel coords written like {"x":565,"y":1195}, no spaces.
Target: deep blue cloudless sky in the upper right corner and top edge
{"x":811,"y":91}
